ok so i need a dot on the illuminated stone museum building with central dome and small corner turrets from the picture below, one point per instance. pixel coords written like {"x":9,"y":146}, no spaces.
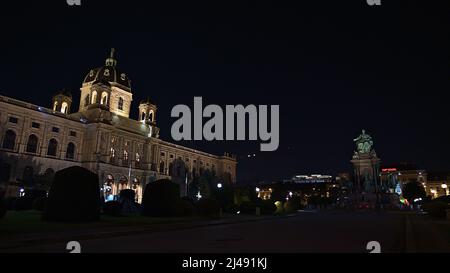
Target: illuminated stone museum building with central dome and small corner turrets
{"x":101,"y":137}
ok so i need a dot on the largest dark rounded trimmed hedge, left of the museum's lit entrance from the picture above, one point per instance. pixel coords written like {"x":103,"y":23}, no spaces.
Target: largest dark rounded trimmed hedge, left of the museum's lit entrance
{"x":74,"y":196}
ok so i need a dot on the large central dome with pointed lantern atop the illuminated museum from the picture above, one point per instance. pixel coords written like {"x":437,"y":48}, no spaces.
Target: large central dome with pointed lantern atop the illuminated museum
{"x":108,"y":74}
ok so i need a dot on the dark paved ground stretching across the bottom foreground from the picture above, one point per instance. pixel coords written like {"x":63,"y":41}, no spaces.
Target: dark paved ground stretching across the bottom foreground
{"x":305,"y":232}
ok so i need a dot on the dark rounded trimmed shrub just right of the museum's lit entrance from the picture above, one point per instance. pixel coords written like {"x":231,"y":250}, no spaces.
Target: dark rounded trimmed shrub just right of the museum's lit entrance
{"x":160,"y":198}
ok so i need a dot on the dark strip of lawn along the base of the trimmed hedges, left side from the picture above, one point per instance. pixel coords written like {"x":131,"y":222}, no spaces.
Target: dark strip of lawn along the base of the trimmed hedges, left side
{"x":25,"y":222}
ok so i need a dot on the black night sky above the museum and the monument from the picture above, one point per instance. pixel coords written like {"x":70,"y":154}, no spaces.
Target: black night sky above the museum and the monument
{"x":334,"y":67}
